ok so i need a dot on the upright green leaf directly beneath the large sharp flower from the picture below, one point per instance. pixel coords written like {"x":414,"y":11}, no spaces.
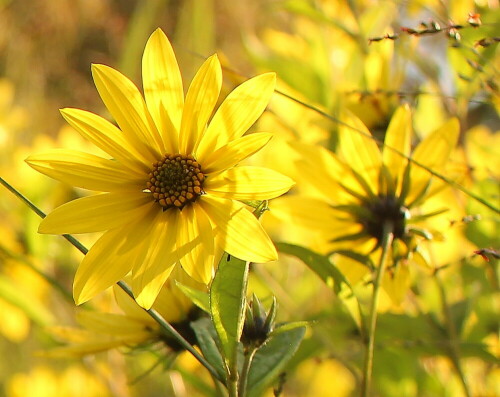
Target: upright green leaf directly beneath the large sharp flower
{"x":227,"y":304}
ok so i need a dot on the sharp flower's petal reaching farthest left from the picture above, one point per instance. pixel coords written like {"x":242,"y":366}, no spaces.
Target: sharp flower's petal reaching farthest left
{"x":85,"y":170}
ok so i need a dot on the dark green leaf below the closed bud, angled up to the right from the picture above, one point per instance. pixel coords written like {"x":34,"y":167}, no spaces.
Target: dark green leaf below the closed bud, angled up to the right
{"x":271,"y":358}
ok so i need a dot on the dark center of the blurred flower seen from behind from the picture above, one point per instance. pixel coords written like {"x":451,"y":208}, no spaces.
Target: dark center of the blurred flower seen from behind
{"x":383,"y":210}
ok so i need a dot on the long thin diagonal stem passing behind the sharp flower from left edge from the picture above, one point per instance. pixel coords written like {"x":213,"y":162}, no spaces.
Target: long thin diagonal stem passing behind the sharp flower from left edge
{"x":153,"y":313}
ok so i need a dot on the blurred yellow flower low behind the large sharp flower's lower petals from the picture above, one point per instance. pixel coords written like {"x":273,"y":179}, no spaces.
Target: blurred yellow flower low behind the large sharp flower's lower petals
{"x":134,"y":327}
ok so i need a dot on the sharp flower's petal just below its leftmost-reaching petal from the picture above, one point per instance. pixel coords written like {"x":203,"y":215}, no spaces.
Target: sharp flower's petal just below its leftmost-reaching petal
{"x":96,"y":213}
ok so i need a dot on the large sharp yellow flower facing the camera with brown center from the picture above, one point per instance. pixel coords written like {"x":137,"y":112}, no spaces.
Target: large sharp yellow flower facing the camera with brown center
{"x":171,"y":193}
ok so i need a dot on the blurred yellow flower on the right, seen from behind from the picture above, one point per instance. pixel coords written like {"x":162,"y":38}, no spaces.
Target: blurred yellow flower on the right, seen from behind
{"x":362,"y":192}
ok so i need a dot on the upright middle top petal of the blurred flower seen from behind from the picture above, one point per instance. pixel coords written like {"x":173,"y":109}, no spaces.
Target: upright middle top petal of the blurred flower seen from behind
{"x":398,"y":140}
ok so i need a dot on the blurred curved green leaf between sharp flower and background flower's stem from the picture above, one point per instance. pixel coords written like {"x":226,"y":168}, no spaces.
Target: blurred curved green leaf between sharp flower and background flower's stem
{"x":319,"y":264}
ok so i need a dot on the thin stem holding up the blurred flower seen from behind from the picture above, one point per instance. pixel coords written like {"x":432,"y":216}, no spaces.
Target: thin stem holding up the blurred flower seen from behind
{"x":372,"y":321}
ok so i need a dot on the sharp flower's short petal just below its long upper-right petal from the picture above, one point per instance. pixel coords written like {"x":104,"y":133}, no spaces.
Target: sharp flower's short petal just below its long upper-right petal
{"x":234,"y":152}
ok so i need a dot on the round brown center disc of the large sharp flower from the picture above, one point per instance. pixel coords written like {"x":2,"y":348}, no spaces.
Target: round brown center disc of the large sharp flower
{"x":175,"y":181}
